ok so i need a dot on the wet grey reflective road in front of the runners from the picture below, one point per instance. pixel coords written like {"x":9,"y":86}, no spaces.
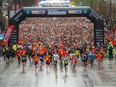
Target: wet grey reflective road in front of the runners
{"x":12,"y":75}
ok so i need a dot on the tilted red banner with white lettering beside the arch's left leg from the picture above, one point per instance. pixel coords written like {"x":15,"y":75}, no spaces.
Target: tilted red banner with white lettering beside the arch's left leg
{"x":7,"y":34}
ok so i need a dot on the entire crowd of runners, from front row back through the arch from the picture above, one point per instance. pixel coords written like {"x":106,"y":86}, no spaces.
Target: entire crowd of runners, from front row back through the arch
{"x":54,"y":41}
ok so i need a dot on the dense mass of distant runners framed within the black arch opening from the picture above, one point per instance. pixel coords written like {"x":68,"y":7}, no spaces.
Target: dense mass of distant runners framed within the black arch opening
{"x":55,"y":31}
